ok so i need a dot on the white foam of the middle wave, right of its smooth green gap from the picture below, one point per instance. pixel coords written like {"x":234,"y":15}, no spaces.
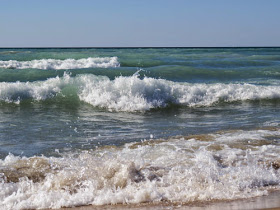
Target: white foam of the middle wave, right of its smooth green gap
{"x":135,"y":94}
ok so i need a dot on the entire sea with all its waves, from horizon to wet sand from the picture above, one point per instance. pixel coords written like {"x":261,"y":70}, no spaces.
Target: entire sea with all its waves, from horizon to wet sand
{"x":99,"y":108}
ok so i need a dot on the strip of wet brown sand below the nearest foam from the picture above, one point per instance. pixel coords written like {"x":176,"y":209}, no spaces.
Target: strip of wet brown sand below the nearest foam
{"x":270,"y":202}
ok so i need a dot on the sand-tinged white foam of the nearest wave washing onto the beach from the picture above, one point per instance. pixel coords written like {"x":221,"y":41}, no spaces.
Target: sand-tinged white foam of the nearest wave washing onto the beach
{"x":177,"y":170}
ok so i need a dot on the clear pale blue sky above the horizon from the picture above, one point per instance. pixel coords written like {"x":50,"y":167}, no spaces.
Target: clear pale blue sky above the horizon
{"x":126,"y":23}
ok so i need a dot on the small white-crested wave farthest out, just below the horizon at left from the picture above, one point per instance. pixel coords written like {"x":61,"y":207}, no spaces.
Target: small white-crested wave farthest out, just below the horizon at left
{"x":98,"y":62}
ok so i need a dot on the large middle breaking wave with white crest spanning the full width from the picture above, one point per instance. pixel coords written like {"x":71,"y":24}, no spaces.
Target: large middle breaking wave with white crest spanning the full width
{"x":134,"y":94}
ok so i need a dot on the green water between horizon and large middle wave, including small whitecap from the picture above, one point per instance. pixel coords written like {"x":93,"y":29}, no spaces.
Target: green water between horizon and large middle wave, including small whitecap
{"x":178,"y":64}
